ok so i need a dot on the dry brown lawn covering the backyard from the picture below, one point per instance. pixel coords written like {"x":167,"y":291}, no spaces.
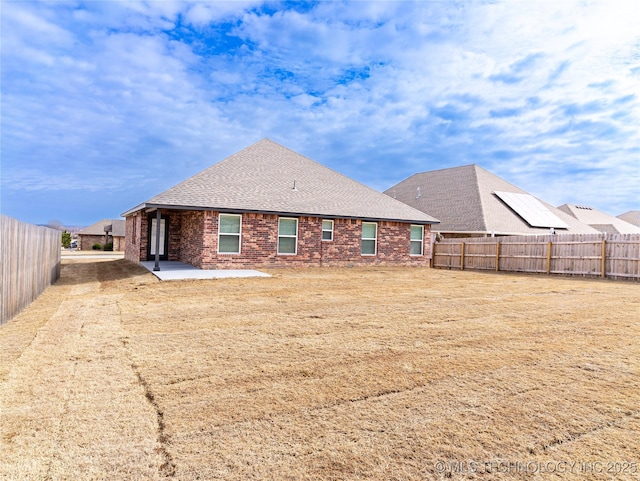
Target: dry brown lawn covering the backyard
{"x":322,"y":374}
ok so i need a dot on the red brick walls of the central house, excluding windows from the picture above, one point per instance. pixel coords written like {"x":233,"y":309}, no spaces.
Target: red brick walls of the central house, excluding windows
{"x":193,"y":239}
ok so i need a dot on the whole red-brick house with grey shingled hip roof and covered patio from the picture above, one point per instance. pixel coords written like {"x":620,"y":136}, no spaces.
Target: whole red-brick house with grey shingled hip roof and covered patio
{"x":269,"y":206}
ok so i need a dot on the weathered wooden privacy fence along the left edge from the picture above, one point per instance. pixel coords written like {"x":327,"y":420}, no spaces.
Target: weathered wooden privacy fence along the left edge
{"x":29,"y":261}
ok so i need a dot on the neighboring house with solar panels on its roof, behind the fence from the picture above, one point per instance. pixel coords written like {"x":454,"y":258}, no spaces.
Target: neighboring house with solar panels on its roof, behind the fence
{"x":470,"y":201}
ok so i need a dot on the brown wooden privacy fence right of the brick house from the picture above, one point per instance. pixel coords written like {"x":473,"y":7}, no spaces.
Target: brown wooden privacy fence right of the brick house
{"x":613,"y":256}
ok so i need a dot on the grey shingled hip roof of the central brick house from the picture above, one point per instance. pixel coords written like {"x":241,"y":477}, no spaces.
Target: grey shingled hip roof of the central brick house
{"x":267,"y":177}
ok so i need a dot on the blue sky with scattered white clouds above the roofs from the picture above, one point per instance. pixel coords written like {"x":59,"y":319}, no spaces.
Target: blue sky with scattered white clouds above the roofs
{"x":107,"y":103}
